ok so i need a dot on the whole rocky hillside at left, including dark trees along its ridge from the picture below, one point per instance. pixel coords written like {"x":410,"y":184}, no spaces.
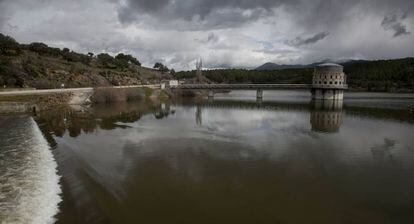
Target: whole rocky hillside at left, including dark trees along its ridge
{"x":40,"y":66}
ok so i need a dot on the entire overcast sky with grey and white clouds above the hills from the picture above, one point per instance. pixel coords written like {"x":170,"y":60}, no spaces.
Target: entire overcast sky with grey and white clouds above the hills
{"x":224,"y":33}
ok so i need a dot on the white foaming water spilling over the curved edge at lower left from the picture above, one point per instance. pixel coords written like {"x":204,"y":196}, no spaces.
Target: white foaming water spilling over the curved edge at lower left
{"x":29,"y":184}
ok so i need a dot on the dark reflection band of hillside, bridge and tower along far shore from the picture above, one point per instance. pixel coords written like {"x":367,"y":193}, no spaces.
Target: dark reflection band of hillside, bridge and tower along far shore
{"x":325,"y":116}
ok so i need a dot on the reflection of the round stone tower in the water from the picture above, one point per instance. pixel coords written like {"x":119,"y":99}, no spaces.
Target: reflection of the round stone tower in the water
{"x":326,"y":116}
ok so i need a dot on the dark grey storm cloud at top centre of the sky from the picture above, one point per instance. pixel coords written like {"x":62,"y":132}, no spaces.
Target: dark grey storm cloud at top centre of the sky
{"x":206,"y":13}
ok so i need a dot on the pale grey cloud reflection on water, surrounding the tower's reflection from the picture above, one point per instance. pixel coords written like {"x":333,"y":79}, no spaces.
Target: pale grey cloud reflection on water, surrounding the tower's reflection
{"x":274,"y":131}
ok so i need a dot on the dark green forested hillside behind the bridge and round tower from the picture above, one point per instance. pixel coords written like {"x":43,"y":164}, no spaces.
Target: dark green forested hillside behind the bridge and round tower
{"x":381,"y":75}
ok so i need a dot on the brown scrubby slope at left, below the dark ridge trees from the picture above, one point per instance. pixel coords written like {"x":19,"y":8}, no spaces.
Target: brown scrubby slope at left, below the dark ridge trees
{"x":41,"y":71}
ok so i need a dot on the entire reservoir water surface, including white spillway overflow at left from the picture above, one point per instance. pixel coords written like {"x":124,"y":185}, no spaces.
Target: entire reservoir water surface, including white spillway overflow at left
{"x":231,"y":159}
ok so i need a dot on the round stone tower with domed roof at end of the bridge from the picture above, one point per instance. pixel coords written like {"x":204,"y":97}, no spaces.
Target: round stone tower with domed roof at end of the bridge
{"x":328,"y":82}
